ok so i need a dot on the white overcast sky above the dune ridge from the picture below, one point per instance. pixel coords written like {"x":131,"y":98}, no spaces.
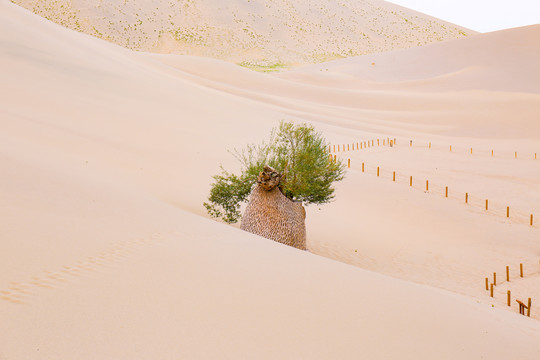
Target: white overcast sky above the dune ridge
{"x":479,"y":15}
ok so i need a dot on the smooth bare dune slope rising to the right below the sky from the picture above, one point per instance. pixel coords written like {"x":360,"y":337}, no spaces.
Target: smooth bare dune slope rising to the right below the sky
{"x":499,"y":61}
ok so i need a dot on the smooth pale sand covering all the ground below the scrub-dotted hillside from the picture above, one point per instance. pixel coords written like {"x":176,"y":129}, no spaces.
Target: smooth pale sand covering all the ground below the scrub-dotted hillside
{"x":107,"y":155}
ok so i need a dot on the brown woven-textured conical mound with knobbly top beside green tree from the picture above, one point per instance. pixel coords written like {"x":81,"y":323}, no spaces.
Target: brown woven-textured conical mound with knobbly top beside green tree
{"x":272,"y":215}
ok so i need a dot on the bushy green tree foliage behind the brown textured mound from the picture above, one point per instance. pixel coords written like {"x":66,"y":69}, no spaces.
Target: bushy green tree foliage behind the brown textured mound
{"x":299,"y":151}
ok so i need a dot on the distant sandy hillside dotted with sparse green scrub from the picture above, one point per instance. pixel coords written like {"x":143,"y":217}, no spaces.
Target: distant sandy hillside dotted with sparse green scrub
{"x":261,"y":34}
